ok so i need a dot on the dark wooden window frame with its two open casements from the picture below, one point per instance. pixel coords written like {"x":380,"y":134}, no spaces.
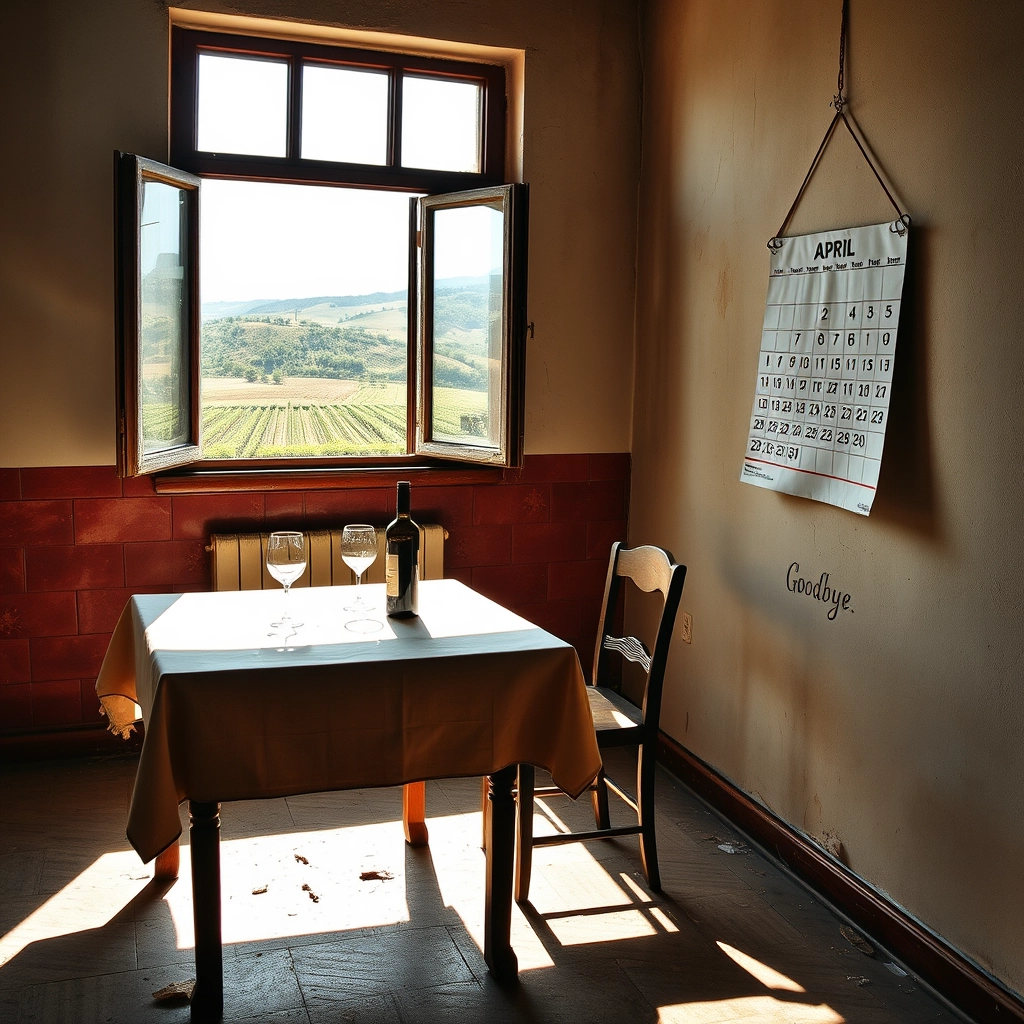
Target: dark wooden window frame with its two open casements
{"x":187,"y":47}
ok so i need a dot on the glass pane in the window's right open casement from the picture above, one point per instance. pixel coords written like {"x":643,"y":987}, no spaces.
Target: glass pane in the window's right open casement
{"x":467,"y":331}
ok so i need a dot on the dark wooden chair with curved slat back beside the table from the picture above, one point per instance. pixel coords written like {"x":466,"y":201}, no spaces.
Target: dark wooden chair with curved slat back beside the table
{"x":619,"y":723}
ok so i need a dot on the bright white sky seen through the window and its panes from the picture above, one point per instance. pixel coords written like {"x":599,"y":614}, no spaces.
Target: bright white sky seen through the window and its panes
{"x":268,"y":241}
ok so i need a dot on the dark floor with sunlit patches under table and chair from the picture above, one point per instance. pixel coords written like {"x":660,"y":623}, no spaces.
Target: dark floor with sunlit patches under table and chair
{"x":330,"y":917}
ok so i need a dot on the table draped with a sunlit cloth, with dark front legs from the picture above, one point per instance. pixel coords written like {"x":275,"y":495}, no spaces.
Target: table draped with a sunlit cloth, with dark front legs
{"x":467,"y":689}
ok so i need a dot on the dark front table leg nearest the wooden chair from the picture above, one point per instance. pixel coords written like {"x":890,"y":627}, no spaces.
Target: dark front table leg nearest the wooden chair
{"x":498,"y":902}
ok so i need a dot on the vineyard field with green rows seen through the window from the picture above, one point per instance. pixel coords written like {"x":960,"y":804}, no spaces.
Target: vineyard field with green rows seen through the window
{"x":331,"y":418}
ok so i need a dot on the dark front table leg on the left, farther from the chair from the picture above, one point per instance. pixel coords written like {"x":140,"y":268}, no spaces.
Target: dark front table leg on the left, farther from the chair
{"x":204,"y":837}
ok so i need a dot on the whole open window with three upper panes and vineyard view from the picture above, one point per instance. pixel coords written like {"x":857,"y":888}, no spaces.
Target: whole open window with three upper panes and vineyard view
{"x":333,"y":271}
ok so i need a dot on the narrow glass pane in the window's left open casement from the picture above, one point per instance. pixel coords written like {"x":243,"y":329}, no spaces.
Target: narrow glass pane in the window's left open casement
{"x":163,"y":318}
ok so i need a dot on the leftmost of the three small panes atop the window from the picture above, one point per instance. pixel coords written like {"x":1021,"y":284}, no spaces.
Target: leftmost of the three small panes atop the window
{"x":243,"y":106}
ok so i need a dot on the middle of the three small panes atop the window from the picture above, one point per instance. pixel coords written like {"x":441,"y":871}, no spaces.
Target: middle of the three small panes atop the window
{"x":345,"y":115}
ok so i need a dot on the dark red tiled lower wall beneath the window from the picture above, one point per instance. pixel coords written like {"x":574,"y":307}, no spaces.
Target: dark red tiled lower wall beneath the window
{"x":76,"y":543}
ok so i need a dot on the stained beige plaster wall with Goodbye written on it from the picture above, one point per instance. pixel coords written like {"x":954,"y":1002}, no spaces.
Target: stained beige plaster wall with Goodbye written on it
{"x":893,"y":736}
